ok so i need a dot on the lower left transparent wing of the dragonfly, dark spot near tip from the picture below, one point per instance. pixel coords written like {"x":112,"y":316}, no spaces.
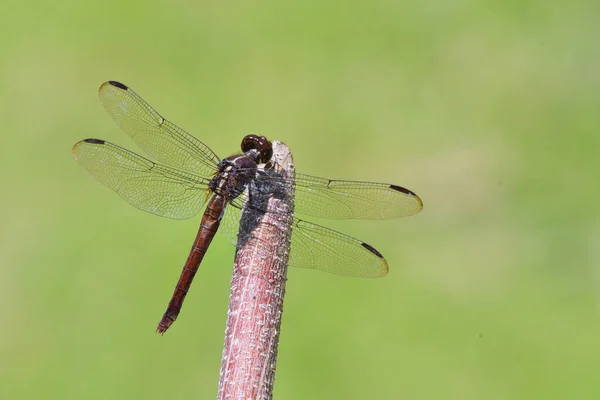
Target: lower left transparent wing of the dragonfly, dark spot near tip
{"x":151,"y":187}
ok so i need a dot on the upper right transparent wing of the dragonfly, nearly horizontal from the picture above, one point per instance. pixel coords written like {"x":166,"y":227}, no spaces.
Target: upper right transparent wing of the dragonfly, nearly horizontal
{"x":326,"y":198}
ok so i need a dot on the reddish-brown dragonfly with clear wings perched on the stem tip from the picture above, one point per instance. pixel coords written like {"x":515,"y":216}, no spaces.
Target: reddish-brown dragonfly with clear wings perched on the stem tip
{"x":184,"y":174}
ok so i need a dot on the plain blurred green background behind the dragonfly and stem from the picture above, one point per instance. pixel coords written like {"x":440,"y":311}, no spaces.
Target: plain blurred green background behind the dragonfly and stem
{"x":488,"y":110}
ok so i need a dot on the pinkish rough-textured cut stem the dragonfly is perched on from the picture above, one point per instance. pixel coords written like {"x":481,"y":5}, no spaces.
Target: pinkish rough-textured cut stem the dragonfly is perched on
{"x":258,"y":286}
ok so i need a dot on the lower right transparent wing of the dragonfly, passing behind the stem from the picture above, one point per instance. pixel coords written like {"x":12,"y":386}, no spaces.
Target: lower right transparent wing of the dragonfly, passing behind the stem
{"x":314,"y":246}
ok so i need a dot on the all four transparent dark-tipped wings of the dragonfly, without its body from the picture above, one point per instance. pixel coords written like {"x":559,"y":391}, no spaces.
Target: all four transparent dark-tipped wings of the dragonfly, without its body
{"x":178,"y":188}
